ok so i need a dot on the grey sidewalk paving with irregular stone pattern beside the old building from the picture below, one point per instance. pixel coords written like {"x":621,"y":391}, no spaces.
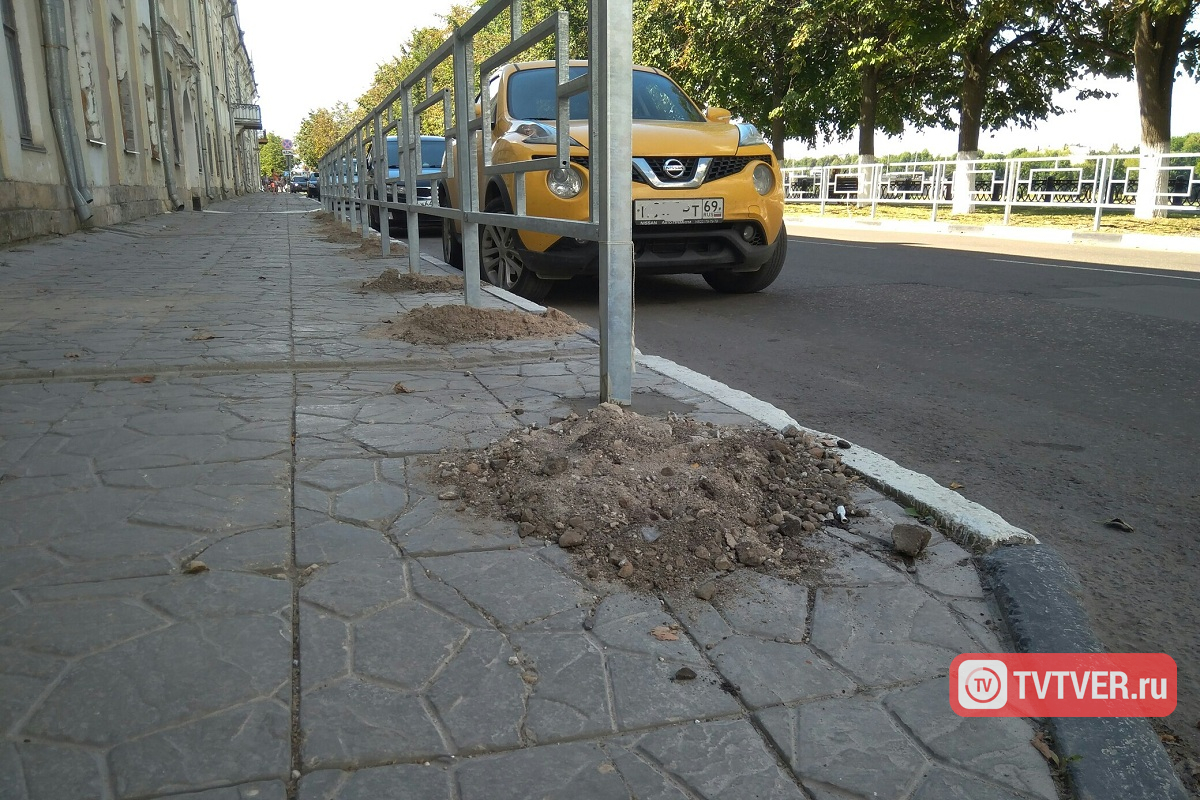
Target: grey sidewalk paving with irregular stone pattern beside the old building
{"x":203,"y":387}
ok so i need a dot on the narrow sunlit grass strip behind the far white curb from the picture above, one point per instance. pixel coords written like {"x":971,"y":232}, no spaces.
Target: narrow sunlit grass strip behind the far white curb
{"x":1179,"y":224}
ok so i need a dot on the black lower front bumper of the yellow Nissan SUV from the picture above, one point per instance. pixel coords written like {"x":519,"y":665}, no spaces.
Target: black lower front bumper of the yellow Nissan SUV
{"x":661,"y":250}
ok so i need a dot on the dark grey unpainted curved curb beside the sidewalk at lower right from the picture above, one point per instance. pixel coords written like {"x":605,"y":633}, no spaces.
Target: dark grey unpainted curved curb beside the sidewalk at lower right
{"x":1040,"y":596}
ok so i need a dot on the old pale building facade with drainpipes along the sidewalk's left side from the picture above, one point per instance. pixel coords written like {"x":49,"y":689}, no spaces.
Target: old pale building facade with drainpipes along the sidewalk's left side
{"x":117,"y":110}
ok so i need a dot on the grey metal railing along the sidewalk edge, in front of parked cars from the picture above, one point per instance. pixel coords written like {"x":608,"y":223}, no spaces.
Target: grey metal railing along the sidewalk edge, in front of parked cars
{"x":461,"y":112}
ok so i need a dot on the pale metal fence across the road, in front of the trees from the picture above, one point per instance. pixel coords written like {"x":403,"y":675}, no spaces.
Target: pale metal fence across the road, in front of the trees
{"x":1097,"y":184}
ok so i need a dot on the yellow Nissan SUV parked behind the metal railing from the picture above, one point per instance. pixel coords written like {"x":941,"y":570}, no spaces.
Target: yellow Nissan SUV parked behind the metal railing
{"x":709,"y":196}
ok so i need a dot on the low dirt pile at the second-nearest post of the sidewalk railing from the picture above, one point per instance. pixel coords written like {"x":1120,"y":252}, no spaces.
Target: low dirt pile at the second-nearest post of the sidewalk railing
{"x":457,"y":323}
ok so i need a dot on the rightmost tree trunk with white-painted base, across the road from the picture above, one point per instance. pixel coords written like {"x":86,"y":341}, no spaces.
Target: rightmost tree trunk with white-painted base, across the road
{"x":1156,"y":53}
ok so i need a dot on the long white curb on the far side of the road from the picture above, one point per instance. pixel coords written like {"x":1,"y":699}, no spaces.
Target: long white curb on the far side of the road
{"x":1045,"y":236}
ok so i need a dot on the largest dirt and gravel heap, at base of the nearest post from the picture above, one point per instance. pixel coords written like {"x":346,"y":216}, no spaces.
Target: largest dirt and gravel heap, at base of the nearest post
{"x":661,"y":504}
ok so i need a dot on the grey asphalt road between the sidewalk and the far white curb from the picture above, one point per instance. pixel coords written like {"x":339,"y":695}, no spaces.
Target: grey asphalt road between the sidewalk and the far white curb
{"x":1060,"y":386}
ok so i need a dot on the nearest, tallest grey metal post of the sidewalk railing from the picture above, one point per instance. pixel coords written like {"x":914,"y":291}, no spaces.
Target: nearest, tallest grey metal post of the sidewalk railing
{"x":611,"y":68}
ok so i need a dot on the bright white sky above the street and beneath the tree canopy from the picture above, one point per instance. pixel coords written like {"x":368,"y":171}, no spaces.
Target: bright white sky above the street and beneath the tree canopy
{"x":308,"y":58}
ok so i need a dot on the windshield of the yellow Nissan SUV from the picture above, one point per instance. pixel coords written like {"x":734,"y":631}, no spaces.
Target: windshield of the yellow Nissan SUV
{"x":656,"y":98}
